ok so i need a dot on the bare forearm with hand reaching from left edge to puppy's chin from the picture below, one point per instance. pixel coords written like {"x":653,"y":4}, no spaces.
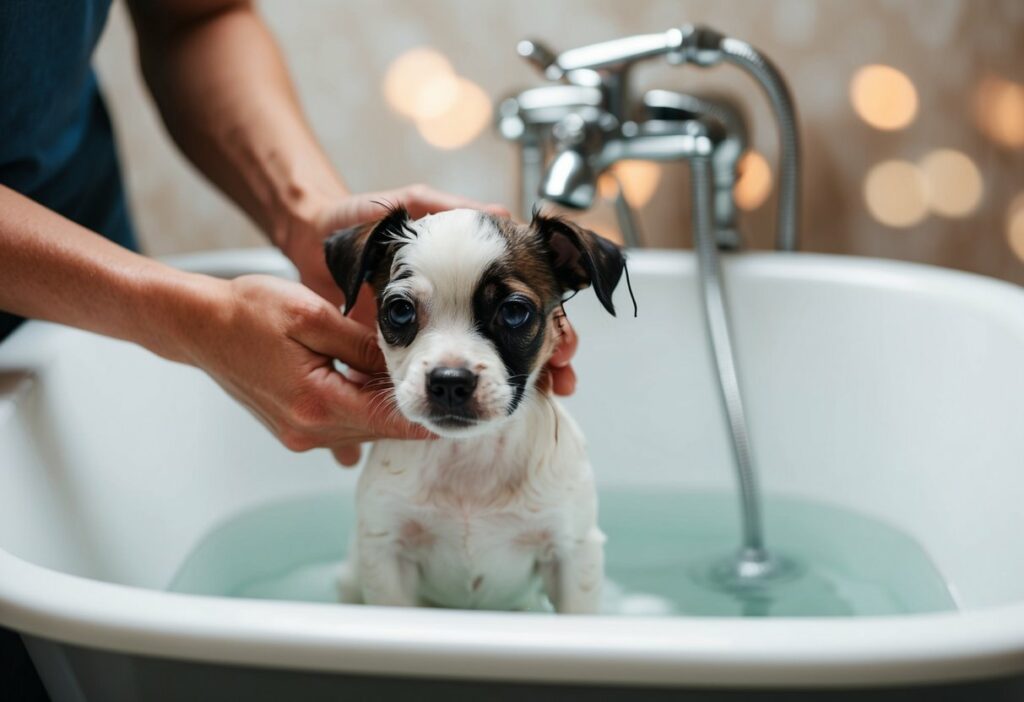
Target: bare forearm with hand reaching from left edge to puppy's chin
{"x":269,"y":342}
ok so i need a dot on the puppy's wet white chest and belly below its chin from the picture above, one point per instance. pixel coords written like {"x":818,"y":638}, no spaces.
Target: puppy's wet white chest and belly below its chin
{"x":478,"y":530}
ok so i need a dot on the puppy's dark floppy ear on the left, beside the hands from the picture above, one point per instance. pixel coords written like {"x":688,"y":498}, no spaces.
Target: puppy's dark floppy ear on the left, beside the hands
{"x":354,"y":255}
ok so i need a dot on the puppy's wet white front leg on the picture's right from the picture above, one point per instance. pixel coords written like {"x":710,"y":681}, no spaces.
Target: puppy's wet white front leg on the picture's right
{"x":574,"y":580}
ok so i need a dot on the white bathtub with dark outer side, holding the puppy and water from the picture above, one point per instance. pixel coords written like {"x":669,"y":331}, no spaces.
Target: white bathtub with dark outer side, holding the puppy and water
{"x":893,"y":390}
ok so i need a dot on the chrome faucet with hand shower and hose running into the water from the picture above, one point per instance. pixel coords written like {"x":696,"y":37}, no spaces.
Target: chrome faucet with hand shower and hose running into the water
{"x":590,"y":123}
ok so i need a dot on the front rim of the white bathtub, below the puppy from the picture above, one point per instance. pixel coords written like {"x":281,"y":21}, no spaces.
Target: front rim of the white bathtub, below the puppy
{"x":778,"y":652}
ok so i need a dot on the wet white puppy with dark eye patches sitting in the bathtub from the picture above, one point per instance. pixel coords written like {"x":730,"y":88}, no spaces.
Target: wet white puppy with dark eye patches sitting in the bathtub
{"x":501,"y":510}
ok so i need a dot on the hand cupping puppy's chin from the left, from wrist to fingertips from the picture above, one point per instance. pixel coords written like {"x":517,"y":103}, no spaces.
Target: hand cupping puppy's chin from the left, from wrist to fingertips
{"x":272,"y":345}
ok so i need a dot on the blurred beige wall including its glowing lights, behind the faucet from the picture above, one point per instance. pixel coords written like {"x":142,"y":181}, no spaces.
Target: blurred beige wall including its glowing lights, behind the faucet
{"x":912,"y":116}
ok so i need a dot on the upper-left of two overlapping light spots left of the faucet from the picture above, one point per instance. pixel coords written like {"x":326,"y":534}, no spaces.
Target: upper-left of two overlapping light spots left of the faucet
{"x":421,"y":84}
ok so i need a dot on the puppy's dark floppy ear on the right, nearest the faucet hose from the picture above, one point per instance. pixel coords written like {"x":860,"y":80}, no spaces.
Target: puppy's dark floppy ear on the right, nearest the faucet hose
{"x":581,"y":257}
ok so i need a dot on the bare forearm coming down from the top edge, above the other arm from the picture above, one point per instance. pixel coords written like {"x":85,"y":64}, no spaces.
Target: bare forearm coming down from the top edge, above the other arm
{"x":224,"y":92}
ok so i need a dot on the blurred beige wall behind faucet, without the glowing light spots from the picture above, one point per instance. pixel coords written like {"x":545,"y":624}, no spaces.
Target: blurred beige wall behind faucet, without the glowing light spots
{"x":339,"y":53}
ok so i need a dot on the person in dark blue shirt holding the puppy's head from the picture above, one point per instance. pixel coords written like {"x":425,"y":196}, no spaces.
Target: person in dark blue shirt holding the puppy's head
{"x":67,"y":247}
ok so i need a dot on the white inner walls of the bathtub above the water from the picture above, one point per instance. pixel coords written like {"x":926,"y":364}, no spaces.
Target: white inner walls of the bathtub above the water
{"x":885,"y":393}
